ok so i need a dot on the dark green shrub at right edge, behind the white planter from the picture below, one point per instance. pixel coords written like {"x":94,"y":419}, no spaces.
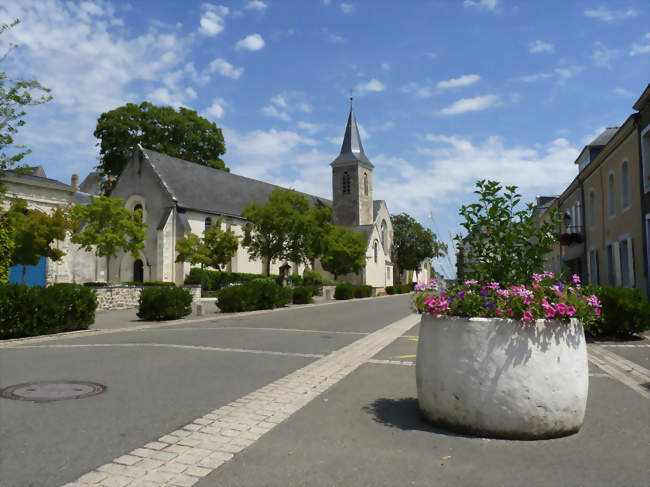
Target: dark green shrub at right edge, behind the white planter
{"x":624,"y":312}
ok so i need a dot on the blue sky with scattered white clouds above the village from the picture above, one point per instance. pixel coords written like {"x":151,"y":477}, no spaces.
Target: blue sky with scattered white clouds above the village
{"x":445,"y":92}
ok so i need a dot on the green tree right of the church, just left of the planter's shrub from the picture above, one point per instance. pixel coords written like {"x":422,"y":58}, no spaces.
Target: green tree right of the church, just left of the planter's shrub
{"x":412,"y":243}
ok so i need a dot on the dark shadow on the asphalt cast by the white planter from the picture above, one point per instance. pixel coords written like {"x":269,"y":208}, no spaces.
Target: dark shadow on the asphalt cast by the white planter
{"x":404,"y":414}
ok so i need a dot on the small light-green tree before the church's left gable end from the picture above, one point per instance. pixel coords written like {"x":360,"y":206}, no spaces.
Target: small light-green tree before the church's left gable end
{"x":106,"y":227}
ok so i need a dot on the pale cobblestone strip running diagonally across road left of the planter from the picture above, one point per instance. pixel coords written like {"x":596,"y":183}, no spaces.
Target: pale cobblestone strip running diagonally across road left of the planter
{"x":182,"y":457}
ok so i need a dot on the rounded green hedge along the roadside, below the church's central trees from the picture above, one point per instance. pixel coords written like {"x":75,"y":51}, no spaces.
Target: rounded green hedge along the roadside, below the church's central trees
{"x":261,"y":293}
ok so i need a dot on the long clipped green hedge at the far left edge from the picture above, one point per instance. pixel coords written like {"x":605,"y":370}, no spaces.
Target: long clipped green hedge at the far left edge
{"x":38,"y":310}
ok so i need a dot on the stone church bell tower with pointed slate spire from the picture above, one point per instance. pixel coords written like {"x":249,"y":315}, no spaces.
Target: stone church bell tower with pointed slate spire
{"x":352,"y":179}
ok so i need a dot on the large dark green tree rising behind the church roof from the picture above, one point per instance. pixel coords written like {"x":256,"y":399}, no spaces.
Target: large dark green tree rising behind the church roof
{"x":181,"y":133}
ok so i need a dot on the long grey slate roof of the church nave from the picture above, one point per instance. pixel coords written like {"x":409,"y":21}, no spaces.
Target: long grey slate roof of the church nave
{"x":198,"y":187}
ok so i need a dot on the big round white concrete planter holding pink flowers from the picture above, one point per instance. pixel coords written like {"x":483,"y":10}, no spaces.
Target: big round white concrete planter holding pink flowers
{"x":497,"y":378}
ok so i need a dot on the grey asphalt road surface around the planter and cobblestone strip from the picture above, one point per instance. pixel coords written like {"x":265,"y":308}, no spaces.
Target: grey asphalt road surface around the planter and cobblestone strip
{"x":364,"y":430}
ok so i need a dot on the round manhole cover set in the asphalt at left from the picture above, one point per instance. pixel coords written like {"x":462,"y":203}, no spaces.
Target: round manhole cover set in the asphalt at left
{"x":52,"y":391}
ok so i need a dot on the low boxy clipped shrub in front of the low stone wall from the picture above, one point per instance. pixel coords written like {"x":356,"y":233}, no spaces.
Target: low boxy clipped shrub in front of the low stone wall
{"x":164,"y":303}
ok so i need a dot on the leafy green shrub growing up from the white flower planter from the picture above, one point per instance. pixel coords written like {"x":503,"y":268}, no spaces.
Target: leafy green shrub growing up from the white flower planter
{"x":504,"y":243}
